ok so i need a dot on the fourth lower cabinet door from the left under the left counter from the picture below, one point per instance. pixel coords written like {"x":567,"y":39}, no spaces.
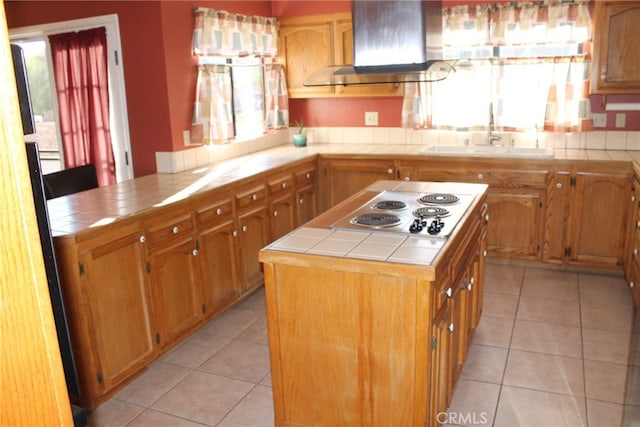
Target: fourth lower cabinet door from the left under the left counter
{"x":253,"y":236}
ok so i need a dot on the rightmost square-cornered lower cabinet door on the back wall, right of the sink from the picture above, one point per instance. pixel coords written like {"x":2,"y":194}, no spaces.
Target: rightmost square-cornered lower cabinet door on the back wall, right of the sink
{"x":599,"y":219}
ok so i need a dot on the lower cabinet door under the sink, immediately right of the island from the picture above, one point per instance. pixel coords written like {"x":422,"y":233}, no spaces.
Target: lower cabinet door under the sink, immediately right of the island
{"x":515,"y":223}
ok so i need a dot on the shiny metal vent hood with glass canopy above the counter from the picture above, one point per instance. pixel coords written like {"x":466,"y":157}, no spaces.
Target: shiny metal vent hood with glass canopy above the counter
{"x":393,"y":42}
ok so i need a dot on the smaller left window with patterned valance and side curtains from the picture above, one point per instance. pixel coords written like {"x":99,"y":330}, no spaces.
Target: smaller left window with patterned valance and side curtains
{"x":240,"y":92}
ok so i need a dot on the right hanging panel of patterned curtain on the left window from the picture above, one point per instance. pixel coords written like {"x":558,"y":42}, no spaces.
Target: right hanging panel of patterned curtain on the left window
{"x":276,"y":97}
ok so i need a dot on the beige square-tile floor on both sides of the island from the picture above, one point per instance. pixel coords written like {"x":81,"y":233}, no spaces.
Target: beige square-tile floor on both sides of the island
{"x":551,"y":350}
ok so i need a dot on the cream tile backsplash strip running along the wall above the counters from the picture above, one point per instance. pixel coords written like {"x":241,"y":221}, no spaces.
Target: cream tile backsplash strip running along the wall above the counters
{"x":178,"y":161}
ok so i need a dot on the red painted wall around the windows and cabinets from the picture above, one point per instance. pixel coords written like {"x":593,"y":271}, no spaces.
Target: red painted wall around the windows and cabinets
{"x":160,"y":71}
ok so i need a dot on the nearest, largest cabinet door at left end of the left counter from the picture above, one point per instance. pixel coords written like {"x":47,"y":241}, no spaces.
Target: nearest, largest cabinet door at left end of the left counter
{"x":109,"y":308}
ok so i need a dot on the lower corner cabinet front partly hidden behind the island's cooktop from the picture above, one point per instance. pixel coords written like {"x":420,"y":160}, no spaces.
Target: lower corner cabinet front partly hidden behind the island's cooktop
{"x":343,"y":178}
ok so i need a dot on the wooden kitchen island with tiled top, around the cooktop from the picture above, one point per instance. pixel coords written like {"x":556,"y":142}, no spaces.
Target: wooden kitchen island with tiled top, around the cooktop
{"x":371,"y":327}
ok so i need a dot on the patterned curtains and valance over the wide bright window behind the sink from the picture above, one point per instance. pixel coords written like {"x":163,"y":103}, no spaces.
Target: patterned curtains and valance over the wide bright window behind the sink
{"x":532,"y":83}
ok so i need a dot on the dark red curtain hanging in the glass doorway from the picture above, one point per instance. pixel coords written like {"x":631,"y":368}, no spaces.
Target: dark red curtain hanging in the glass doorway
{"x":80,"y":70}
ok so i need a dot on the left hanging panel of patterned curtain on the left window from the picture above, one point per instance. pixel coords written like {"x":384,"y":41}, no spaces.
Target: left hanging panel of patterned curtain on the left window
{"x":212,"y":121}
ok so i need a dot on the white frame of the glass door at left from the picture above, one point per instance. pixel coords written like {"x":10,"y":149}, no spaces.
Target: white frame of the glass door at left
{"x":119,"y":117}
